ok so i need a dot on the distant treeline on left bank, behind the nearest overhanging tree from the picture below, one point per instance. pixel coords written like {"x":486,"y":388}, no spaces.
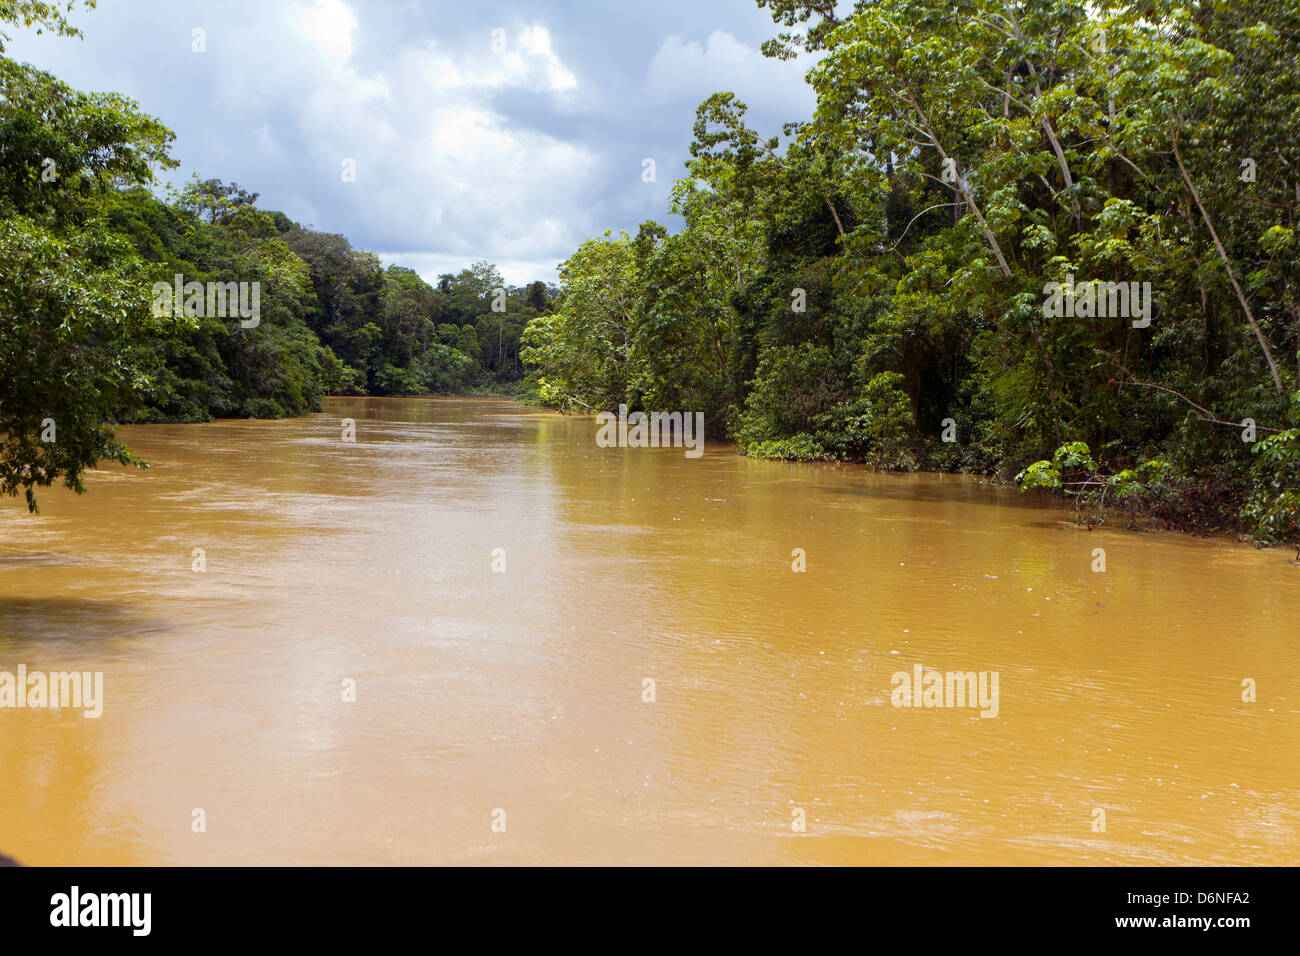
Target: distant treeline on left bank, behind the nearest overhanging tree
{"x":332,"y":321}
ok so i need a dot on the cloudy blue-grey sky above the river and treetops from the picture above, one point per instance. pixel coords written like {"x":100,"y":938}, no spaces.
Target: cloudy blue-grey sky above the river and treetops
{"x":508,"y":132}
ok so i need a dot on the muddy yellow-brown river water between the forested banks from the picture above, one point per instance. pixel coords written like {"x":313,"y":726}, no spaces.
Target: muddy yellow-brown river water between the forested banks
{"x":504,"y":716}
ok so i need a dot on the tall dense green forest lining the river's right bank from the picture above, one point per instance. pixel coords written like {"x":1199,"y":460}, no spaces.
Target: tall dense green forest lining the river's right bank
{"x":874,"y":287}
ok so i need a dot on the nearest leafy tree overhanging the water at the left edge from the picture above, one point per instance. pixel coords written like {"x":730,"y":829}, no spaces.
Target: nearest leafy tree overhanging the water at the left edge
{"x":73,"y":297}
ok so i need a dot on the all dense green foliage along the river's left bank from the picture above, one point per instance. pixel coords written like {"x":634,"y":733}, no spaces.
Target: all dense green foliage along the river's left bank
{"x":85,"y":343}
